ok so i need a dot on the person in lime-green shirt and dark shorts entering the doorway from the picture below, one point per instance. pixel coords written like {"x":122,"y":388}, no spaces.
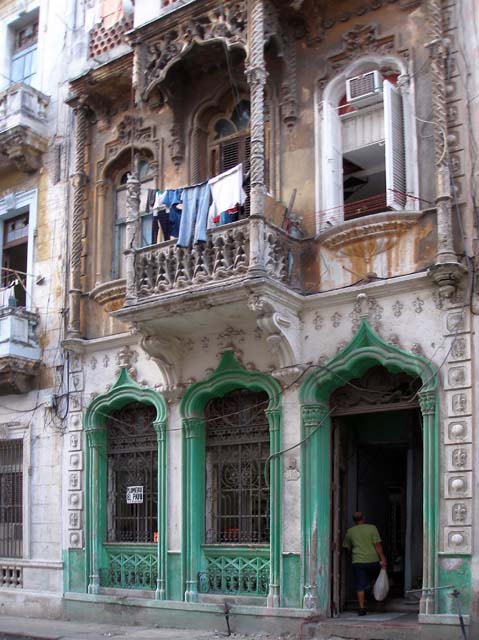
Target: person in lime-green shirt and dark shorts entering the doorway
{"x":364,"y":542}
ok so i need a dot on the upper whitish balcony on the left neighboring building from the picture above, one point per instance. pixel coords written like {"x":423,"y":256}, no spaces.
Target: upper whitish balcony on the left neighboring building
{"x":23,"y":131}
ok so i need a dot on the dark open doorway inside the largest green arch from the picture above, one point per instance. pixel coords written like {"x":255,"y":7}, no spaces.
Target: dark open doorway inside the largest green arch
{"x":376,"y":468}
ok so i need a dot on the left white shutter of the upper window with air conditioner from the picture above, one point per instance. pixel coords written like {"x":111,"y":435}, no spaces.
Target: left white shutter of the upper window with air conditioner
{"x":332,"y":162}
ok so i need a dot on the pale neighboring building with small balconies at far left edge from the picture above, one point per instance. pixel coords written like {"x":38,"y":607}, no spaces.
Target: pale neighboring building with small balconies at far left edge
{"x":33,"y":202}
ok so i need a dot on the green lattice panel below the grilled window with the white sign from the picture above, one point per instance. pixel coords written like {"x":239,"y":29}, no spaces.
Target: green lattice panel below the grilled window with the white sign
{"x":130,"y":571}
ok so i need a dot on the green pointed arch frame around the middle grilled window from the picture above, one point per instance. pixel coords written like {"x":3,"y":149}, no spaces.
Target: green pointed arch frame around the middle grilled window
{"x":229,"y":376}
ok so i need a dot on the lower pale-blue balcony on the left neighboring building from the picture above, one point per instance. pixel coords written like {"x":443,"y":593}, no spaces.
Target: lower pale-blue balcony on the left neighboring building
{"x":19,"y":350}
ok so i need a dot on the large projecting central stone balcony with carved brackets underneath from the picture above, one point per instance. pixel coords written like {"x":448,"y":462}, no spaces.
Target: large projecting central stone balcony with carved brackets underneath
{"x":243,"y":271}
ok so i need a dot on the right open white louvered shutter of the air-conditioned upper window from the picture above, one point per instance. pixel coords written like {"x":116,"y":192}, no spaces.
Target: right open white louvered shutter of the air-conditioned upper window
{"x":394,"y":147}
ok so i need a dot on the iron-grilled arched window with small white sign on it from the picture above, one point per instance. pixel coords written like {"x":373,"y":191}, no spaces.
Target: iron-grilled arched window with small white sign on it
{"x":132,"y":454}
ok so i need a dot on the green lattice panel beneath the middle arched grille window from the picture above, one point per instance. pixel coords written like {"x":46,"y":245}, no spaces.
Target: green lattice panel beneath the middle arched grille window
{"x":236,"y":576}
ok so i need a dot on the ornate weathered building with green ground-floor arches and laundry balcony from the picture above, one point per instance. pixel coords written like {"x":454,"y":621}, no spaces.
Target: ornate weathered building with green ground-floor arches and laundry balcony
{"x":228,"y":403}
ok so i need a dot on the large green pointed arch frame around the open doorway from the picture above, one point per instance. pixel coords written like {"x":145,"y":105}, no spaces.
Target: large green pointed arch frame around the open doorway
{"x":365,"y":350}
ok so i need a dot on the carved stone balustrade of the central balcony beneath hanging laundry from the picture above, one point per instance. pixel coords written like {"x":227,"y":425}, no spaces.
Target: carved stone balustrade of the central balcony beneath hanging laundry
{"x":225,"y":255}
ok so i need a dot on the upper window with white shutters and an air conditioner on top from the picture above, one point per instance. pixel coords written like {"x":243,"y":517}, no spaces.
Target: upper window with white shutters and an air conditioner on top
{"x":364,"y":146}
